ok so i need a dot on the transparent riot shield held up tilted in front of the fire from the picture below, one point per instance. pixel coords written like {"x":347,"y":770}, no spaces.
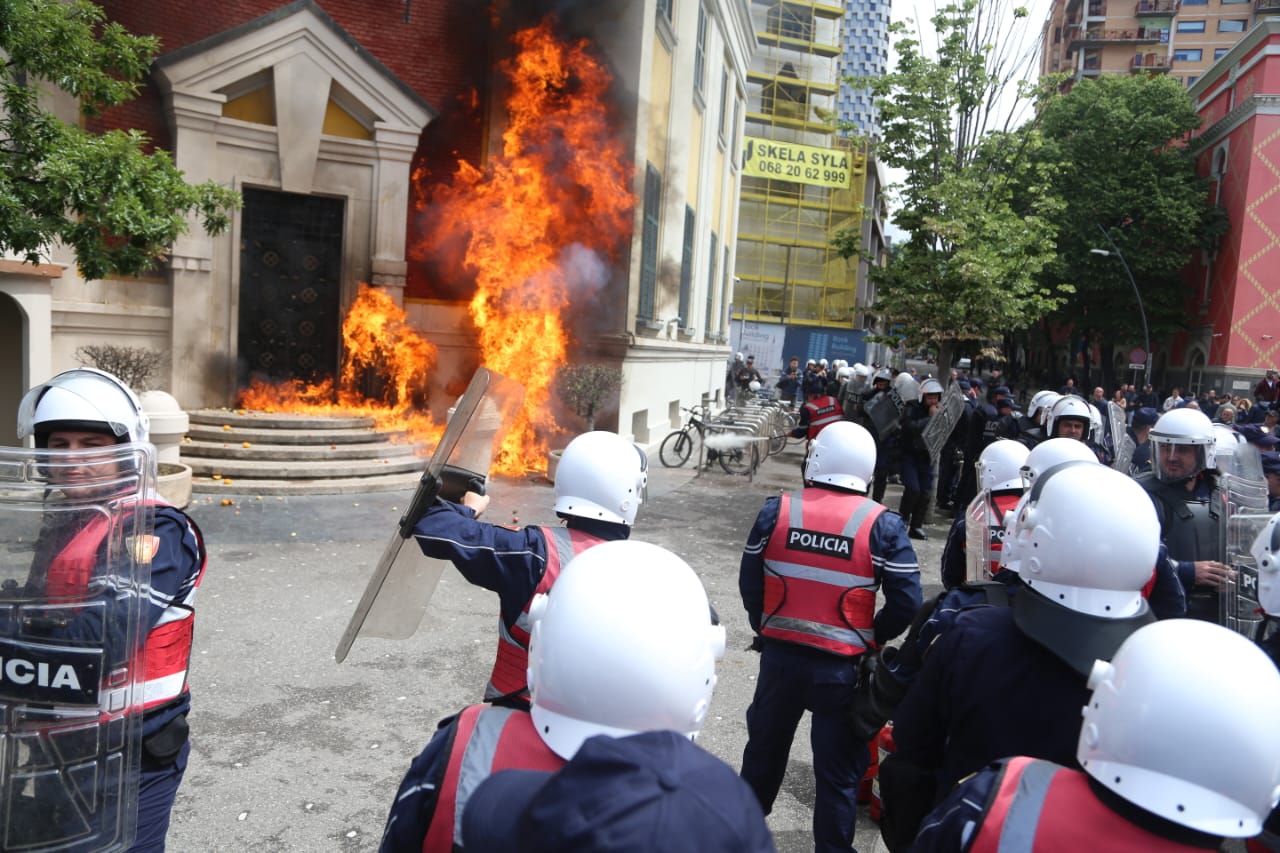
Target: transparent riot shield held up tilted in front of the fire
{"x":404,"y":580}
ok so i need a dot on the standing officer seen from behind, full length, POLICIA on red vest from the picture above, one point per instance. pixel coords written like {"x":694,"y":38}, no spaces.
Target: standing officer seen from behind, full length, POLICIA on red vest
{"x":808,"y":580}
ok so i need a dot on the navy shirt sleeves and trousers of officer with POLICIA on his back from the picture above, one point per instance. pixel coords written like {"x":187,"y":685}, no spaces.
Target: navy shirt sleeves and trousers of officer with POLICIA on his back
{"x":796,"y":679}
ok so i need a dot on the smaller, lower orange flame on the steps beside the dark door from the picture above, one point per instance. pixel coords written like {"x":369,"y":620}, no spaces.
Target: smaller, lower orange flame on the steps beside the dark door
{"x":383,"y":376}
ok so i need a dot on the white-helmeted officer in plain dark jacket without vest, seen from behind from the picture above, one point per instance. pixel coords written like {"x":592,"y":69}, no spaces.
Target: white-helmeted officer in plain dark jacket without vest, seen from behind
{"x":1009,"y":681}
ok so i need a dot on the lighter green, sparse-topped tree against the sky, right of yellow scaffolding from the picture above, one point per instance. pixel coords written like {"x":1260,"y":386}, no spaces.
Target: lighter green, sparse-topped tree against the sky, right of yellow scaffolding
{"x":971,"y":267}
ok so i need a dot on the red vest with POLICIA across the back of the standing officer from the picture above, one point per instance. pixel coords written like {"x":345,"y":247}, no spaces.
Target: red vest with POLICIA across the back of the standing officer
{"x":820,"y":585}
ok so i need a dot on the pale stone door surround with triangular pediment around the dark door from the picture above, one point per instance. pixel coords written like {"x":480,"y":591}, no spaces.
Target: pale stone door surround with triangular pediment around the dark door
{"x":290,"y":102}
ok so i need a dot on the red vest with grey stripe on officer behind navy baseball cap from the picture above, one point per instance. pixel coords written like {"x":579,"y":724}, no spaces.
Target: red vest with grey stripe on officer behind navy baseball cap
{"x":486,"y":740}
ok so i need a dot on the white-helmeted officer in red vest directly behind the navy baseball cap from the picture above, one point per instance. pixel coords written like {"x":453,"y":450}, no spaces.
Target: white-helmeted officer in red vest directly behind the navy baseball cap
{"x":639,"y":676}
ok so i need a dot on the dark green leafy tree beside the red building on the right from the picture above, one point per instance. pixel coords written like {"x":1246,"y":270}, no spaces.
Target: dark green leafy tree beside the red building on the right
{"x":1114,"y":150}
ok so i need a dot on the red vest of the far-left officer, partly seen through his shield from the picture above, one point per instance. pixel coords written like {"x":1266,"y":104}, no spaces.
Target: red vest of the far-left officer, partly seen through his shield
{"x":167,"y":653}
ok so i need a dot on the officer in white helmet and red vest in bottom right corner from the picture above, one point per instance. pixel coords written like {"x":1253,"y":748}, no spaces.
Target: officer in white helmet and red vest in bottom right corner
{"x":1136,"y":793}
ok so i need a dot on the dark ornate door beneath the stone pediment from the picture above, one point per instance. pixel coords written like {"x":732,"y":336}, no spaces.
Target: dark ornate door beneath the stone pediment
{"x":291,"y":271}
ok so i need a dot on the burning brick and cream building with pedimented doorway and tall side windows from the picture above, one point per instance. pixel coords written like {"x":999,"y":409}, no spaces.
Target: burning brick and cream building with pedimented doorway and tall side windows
{"x":322,"y":113}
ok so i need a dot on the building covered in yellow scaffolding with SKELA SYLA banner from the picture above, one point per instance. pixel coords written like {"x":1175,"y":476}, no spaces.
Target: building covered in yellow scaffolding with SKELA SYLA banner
{"x":803,"y":185}
